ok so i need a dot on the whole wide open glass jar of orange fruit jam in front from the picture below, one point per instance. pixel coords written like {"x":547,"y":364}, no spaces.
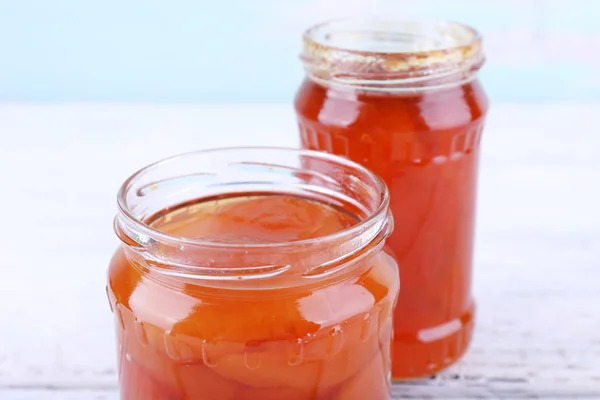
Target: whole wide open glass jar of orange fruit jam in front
{"x":253,"y":273}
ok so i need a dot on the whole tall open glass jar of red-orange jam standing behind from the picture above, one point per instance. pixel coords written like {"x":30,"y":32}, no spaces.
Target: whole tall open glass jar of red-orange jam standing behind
{"x":402,"y":98}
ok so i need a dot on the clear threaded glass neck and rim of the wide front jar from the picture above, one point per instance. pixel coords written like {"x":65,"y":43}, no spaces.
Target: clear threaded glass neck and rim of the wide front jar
{"x":190,"y":177}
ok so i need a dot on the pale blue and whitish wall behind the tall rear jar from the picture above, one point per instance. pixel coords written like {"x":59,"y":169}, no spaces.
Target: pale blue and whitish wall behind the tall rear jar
{"x":246,"y":50}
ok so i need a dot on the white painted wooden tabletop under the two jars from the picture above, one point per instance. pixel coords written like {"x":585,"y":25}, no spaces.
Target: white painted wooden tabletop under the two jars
{"x":537,"y":277}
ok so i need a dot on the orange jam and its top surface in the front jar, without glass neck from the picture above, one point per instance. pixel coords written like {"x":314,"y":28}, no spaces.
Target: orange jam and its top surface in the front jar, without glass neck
{"x":180,"y":340}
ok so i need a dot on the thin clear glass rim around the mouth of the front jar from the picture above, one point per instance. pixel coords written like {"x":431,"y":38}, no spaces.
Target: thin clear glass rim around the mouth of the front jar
{"x":144,"y":229}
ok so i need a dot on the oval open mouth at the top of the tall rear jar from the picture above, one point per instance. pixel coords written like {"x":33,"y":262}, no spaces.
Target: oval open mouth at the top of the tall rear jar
{"x":400,"y":37}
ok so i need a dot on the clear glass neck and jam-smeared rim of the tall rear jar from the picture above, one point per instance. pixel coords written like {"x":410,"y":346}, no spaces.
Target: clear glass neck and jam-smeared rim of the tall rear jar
{"x":392,"y":56}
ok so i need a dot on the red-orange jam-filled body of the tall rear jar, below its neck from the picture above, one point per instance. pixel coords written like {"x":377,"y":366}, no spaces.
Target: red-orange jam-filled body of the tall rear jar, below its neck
{"x":425,"y":145}
